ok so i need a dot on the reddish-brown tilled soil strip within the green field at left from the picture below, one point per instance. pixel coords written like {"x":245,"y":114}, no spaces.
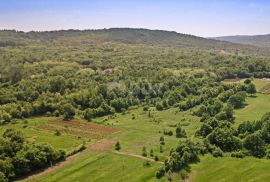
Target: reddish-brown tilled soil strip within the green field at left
{"x":80,"y":129}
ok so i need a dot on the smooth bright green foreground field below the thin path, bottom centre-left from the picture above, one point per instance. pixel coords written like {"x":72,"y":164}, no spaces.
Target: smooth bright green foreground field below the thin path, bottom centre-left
{"x":104,"y":167}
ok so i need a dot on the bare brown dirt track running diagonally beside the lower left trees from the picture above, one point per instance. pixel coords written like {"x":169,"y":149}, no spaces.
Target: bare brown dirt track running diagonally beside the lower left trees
{"x":101,"y":145}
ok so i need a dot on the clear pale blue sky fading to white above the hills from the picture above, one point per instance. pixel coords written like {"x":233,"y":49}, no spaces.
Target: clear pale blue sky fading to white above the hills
{"x":209,"y":18}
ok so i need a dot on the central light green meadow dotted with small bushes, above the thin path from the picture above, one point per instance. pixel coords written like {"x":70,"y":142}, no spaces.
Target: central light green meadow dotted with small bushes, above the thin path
{"x":143,"y":131}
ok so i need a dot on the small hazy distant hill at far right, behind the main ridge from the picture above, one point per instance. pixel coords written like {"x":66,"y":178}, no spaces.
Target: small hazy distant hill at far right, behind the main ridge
{"x":256,"y":40}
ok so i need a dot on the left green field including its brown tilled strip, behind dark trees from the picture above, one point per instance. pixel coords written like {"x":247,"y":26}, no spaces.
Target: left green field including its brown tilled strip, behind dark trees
{"x":72,"y":133}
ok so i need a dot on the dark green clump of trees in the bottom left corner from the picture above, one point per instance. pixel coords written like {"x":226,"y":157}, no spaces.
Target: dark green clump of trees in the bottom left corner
{"x":18,"y":157}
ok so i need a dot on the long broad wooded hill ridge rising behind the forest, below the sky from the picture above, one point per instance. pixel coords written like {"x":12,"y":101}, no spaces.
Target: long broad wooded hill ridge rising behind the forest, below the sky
{"x":127,"y":36}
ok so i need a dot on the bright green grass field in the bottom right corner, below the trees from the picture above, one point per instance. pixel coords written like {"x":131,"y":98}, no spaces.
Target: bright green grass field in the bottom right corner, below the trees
{"x":228,"y":169}
